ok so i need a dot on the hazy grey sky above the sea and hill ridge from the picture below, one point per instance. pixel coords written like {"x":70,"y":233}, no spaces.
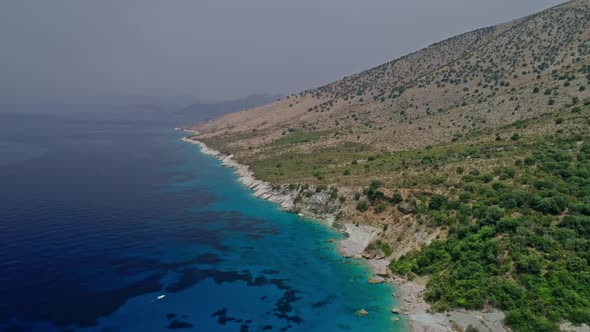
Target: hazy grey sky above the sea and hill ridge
{"x":218,"y":49}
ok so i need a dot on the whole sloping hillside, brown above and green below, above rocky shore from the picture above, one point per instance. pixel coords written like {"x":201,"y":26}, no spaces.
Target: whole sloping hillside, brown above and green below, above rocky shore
{"x":471,"y":156}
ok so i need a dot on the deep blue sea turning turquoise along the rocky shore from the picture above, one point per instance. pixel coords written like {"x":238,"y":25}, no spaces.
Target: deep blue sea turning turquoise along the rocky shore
{"x":99,"y":217}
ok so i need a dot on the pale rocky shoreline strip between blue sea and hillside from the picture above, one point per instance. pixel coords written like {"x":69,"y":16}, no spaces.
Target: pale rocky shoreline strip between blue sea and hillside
{"x":409,"y":293}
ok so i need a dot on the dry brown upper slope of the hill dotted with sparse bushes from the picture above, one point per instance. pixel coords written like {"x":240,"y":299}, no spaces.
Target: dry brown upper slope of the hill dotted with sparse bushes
{"x":479,"y":80}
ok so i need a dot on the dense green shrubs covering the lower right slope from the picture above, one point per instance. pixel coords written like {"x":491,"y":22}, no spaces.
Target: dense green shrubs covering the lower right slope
{"x":518,"y":238}
